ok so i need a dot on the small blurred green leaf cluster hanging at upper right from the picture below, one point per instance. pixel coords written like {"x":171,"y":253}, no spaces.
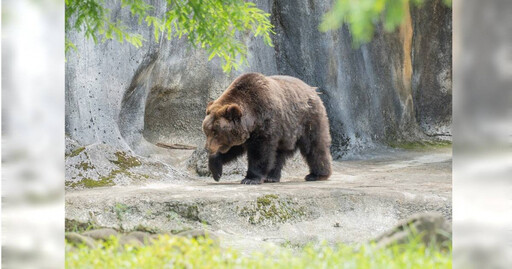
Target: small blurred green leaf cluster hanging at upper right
{"x":361,"y":16}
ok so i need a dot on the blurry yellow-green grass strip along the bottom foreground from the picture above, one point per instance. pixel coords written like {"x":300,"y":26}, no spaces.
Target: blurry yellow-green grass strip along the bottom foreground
{"x":177,"y":252}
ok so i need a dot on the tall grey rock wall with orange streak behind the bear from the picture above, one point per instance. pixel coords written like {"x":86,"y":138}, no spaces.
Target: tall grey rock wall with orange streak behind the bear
{"x":395,"y":88}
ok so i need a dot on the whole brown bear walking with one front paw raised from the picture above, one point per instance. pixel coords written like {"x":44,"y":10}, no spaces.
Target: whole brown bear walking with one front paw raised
{"x":269,"y":118}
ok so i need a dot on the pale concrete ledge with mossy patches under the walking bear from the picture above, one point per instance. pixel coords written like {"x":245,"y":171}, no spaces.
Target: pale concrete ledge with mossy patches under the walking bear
{"x":362,"y":199}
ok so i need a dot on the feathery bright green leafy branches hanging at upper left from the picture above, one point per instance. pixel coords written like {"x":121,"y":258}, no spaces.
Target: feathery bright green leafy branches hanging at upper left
{"x":216,"y":26}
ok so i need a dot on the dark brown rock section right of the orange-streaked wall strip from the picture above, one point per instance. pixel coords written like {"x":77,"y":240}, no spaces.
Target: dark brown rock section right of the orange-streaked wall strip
{"x":432,"y":68}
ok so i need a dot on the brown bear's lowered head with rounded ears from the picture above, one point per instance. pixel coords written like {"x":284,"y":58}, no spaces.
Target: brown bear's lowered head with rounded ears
{"x":225,"y":126}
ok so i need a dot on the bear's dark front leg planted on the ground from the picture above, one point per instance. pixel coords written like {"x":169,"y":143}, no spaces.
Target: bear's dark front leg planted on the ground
{"x":261,"y":158}
